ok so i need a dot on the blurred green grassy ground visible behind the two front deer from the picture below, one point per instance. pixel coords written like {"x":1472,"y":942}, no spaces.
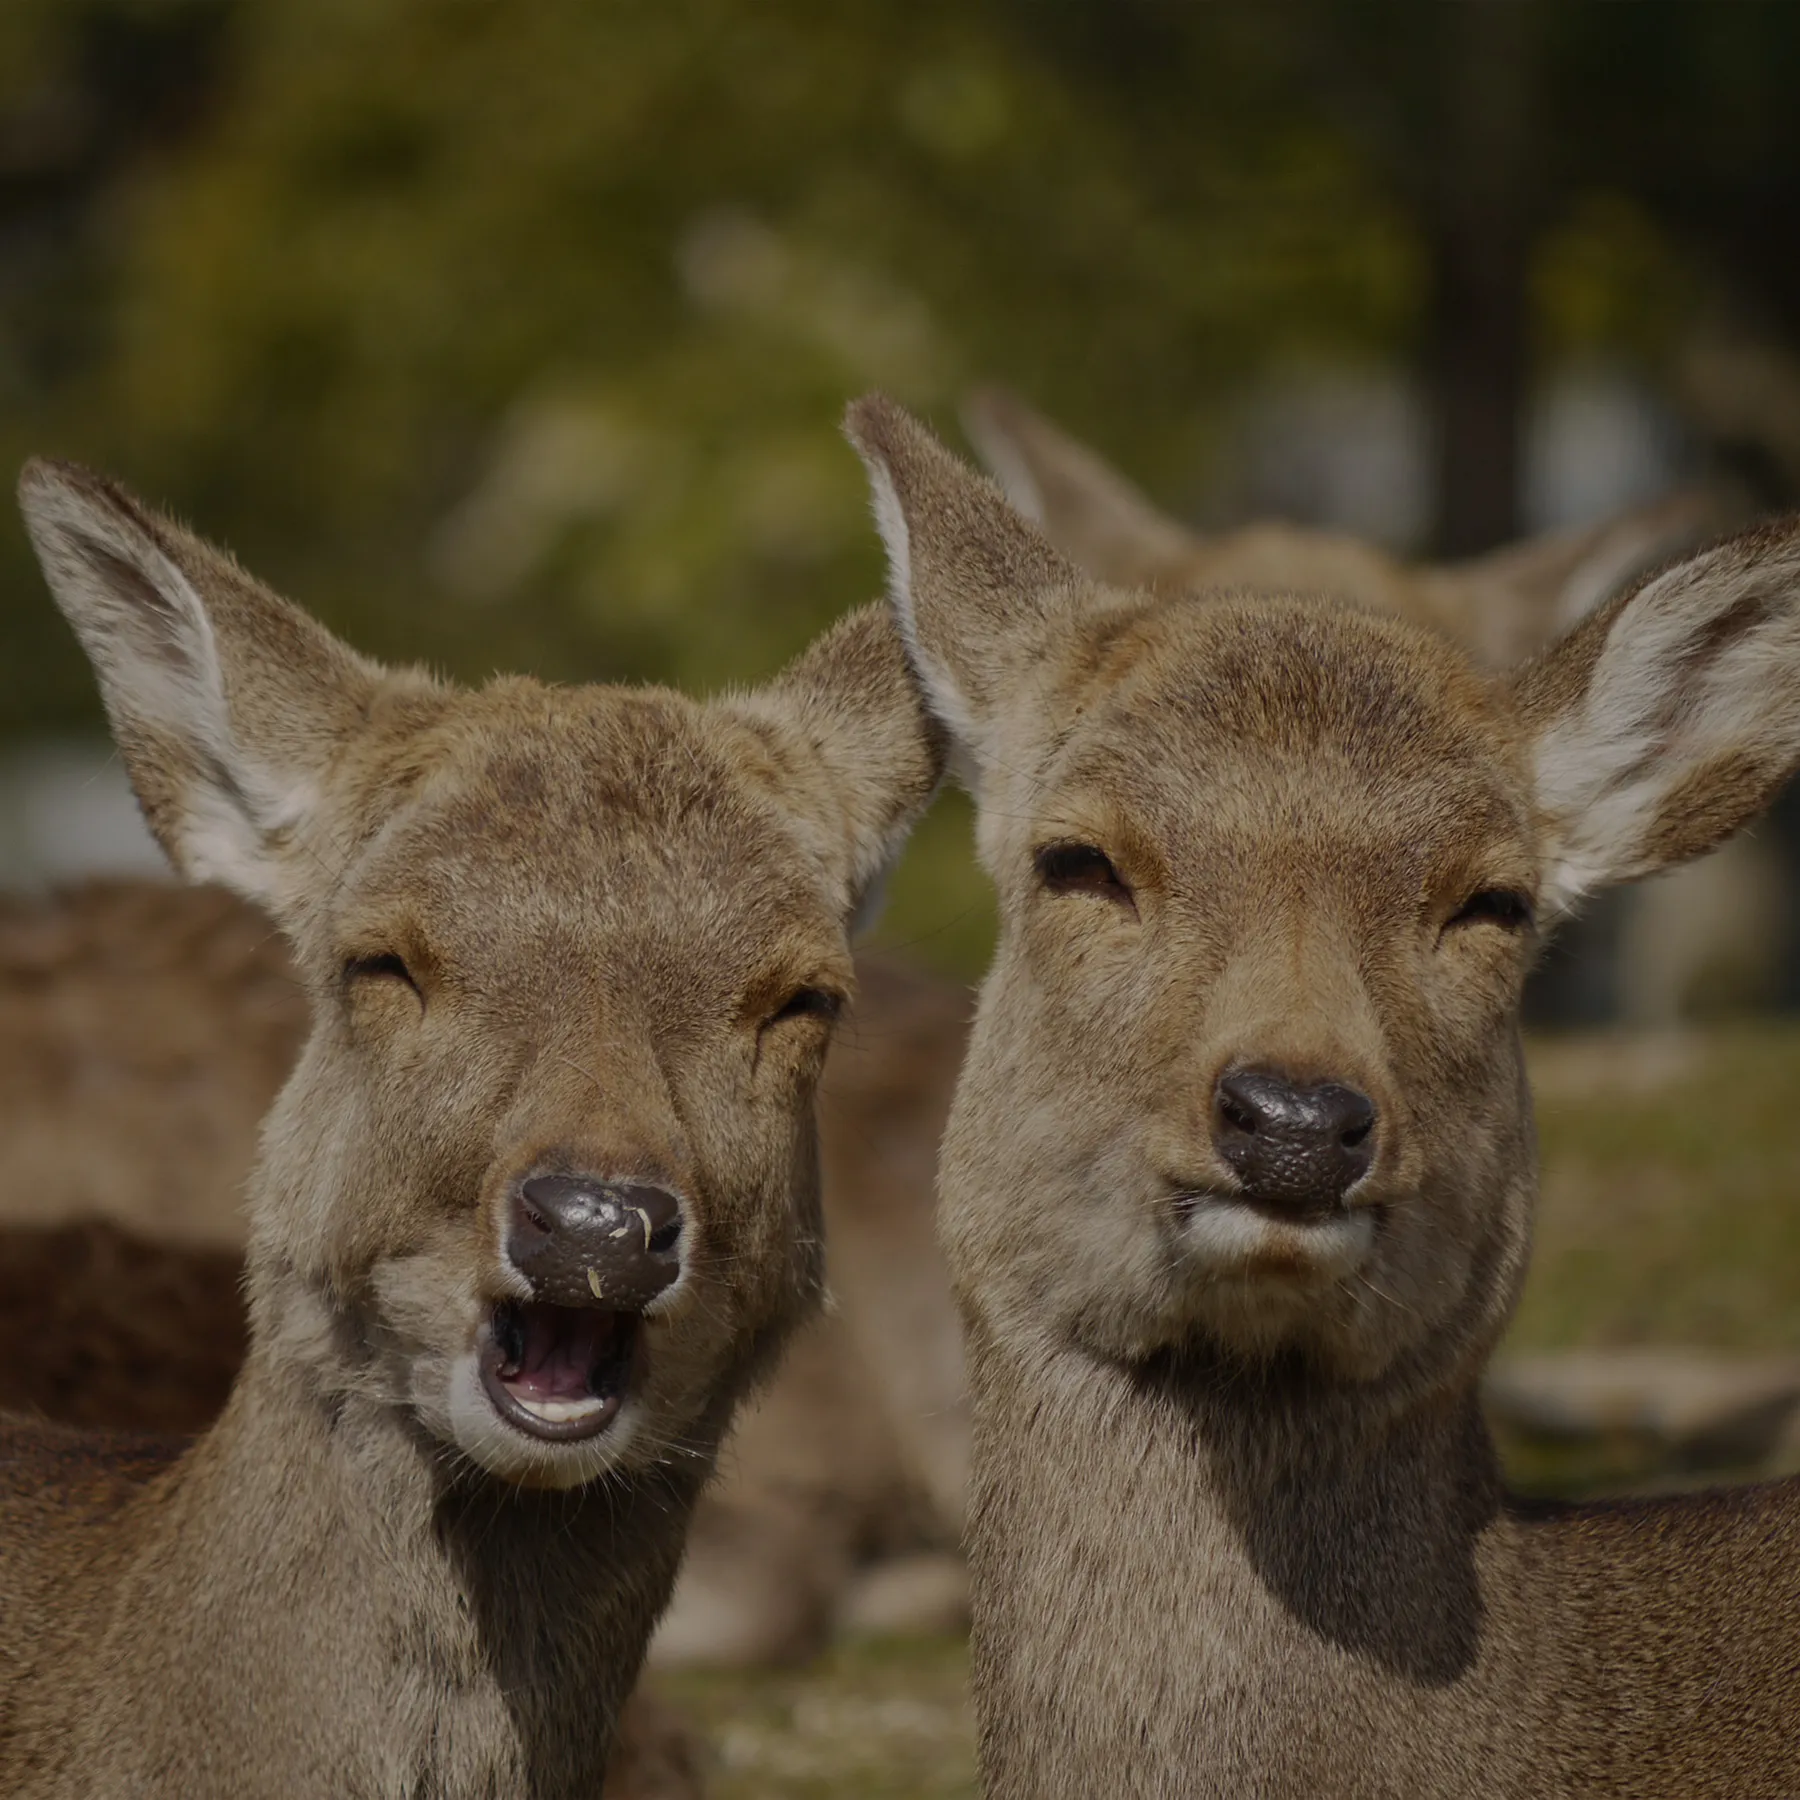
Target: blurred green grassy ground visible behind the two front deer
{"x":1671,"y":1214}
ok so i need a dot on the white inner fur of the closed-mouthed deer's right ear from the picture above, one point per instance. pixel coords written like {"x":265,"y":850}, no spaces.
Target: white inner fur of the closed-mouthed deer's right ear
{"x":1660,"y":708}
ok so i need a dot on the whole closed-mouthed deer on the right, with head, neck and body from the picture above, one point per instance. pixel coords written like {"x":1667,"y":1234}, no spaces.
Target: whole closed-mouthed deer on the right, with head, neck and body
{"x":1239,"y":1176}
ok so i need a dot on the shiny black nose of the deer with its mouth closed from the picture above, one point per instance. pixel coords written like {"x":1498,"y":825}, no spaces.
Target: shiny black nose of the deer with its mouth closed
{"x":1295,"y":1149}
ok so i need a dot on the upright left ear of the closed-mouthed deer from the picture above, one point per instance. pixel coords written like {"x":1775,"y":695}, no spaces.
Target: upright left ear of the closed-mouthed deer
{"x":980,"y":597}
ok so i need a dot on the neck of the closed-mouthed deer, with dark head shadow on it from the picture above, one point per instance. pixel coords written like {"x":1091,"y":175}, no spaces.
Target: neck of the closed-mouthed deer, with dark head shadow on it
{"x":1198,"y":1579}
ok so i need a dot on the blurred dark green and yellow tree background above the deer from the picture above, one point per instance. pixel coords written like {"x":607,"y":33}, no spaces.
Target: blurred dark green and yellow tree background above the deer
{"x":516,"y":336}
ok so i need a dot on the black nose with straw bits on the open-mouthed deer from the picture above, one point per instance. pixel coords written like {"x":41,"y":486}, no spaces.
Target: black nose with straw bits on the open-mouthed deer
{"x":586,"y":1243}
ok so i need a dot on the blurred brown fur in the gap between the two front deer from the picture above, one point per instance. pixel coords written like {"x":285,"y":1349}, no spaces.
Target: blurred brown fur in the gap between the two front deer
{"x":850,"y":1470}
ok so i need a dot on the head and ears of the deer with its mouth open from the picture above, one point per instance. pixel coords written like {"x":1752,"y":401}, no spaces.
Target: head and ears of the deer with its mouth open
{"x":543,"y":1189}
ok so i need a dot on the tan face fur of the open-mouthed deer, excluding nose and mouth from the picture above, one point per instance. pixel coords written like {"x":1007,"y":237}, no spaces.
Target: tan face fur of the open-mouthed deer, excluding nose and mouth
{"x":575,"y":1018}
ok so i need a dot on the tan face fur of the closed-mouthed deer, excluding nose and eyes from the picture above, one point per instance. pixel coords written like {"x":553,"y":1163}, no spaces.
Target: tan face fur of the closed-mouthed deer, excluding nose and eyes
{"x":1264,"y":937}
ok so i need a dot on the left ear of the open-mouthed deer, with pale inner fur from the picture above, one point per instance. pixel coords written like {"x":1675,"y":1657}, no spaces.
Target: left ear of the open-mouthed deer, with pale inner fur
{"x":226,"y":703}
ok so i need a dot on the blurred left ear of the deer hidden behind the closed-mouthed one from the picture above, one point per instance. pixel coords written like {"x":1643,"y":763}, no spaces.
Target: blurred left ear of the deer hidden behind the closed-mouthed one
{"x":1088,"y":510}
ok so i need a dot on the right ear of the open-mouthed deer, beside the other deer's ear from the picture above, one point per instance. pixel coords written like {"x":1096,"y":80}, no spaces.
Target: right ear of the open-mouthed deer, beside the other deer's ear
{"x":872,"y":753}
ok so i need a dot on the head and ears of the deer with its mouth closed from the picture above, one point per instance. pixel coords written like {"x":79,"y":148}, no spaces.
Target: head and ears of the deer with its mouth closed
{"x":1246,"y":1077}
